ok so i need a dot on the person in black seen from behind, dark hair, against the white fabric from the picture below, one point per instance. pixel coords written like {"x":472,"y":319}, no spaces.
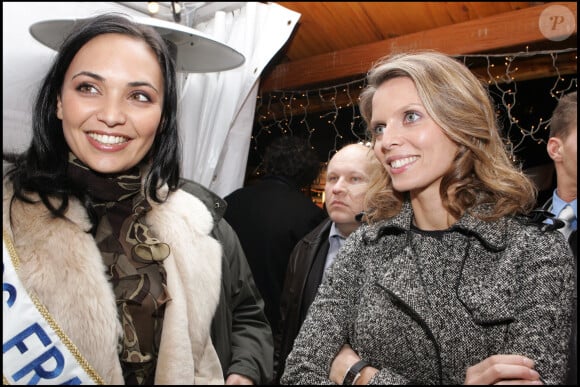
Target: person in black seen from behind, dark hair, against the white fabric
{"x":273,"y":214}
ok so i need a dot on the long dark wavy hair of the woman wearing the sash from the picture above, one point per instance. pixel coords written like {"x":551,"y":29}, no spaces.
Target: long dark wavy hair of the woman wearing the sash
{"x":42,"y":167}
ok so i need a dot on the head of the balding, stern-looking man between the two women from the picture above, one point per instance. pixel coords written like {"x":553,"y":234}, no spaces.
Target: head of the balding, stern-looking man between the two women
{"x":347,"y":178}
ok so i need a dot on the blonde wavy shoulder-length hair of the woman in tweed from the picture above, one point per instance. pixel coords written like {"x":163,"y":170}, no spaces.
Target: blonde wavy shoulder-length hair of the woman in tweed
{"x":482,"y":172}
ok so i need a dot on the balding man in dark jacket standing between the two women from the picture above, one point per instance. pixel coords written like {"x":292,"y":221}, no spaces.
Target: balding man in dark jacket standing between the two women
{"x":347,"y":178}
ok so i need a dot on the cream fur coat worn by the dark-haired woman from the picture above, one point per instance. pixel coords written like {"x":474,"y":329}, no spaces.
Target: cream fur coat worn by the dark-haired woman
{"x":61,"y":264}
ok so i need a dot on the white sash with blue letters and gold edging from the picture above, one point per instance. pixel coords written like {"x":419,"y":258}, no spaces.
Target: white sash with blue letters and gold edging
{"x":35,"y":349}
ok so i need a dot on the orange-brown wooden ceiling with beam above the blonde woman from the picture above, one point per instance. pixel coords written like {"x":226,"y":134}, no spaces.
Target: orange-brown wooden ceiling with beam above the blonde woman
{"x":336,"y":41}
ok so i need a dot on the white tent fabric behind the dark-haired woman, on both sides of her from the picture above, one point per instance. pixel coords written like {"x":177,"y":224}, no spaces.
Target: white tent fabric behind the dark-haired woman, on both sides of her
{"x":216,"y":109}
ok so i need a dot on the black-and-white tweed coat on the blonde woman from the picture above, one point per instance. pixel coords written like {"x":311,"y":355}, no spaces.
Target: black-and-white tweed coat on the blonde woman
{"x":424,"y":306}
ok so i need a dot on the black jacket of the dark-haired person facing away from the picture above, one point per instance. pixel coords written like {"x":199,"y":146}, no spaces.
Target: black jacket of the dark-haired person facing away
{"x":270,"y":217}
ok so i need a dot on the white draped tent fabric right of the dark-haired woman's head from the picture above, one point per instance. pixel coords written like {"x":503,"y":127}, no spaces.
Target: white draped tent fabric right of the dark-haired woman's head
{"x":218,"y":108}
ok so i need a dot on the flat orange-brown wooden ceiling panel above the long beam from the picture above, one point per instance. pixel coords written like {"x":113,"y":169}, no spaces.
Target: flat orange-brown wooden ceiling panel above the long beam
{"x":333,"y":26}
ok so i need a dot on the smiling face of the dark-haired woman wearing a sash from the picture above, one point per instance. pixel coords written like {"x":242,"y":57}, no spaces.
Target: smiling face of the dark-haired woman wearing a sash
{"x":111,"y":102}
